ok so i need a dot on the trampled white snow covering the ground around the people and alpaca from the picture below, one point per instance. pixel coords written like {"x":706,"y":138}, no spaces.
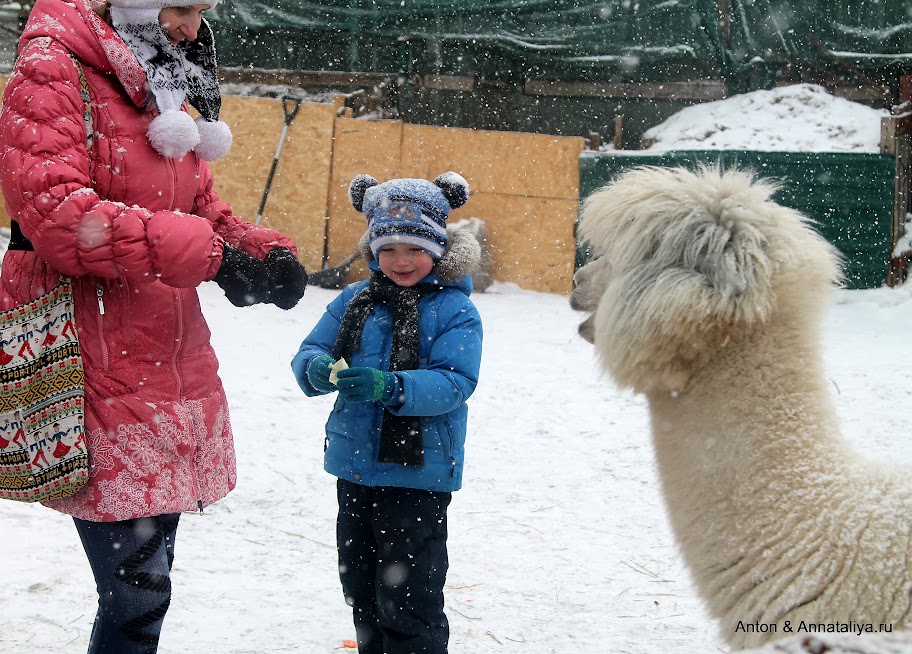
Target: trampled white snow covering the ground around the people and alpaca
{"x":559,"y":540}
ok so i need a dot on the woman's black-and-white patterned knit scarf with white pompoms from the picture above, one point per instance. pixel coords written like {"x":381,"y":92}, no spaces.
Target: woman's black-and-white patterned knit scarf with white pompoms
{"x":175,"y":73}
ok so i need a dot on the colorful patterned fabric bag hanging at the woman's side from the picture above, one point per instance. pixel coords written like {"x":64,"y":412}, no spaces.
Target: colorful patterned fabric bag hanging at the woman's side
{"x":43,"y":454}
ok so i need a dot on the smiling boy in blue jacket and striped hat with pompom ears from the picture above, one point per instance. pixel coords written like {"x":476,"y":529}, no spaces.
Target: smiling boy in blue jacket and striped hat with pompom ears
{"x":396,"y":435}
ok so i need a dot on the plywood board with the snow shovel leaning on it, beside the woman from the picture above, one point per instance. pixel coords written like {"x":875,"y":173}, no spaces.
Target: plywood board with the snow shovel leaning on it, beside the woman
{"x":296,"y":205}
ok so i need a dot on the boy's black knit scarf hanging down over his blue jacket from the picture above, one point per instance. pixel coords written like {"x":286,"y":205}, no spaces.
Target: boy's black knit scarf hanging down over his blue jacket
{"x":401,"y":437}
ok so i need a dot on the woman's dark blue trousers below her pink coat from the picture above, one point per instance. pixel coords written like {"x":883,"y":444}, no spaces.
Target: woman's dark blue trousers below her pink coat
{"x":131,"y":561}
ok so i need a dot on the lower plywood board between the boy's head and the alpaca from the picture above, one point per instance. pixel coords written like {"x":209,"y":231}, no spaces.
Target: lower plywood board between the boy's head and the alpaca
{"x":531,"y":239}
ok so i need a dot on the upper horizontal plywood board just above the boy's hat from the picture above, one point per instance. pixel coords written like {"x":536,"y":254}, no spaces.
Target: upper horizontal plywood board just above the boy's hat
{"x":506,"y":163}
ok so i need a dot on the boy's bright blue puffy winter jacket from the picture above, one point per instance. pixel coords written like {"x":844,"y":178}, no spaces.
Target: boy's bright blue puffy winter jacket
{"x":450,"y":337}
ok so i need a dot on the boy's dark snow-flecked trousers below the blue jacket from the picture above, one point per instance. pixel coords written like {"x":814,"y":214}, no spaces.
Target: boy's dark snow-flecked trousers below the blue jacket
{"x":393,"y":564}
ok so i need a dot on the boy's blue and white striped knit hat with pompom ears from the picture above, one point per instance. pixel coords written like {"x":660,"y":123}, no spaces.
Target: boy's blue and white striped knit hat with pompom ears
{"x":408,"y":210}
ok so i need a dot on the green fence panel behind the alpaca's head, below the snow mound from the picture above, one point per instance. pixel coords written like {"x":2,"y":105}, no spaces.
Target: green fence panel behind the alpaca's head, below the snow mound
{"x":849,"y":196}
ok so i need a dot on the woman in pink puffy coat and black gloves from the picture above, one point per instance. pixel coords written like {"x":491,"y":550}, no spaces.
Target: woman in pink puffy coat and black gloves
{"x":120,"y":198}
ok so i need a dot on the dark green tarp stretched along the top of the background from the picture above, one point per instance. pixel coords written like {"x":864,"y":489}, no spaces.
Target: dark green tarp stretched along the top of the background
{"x":747,"y":43}
